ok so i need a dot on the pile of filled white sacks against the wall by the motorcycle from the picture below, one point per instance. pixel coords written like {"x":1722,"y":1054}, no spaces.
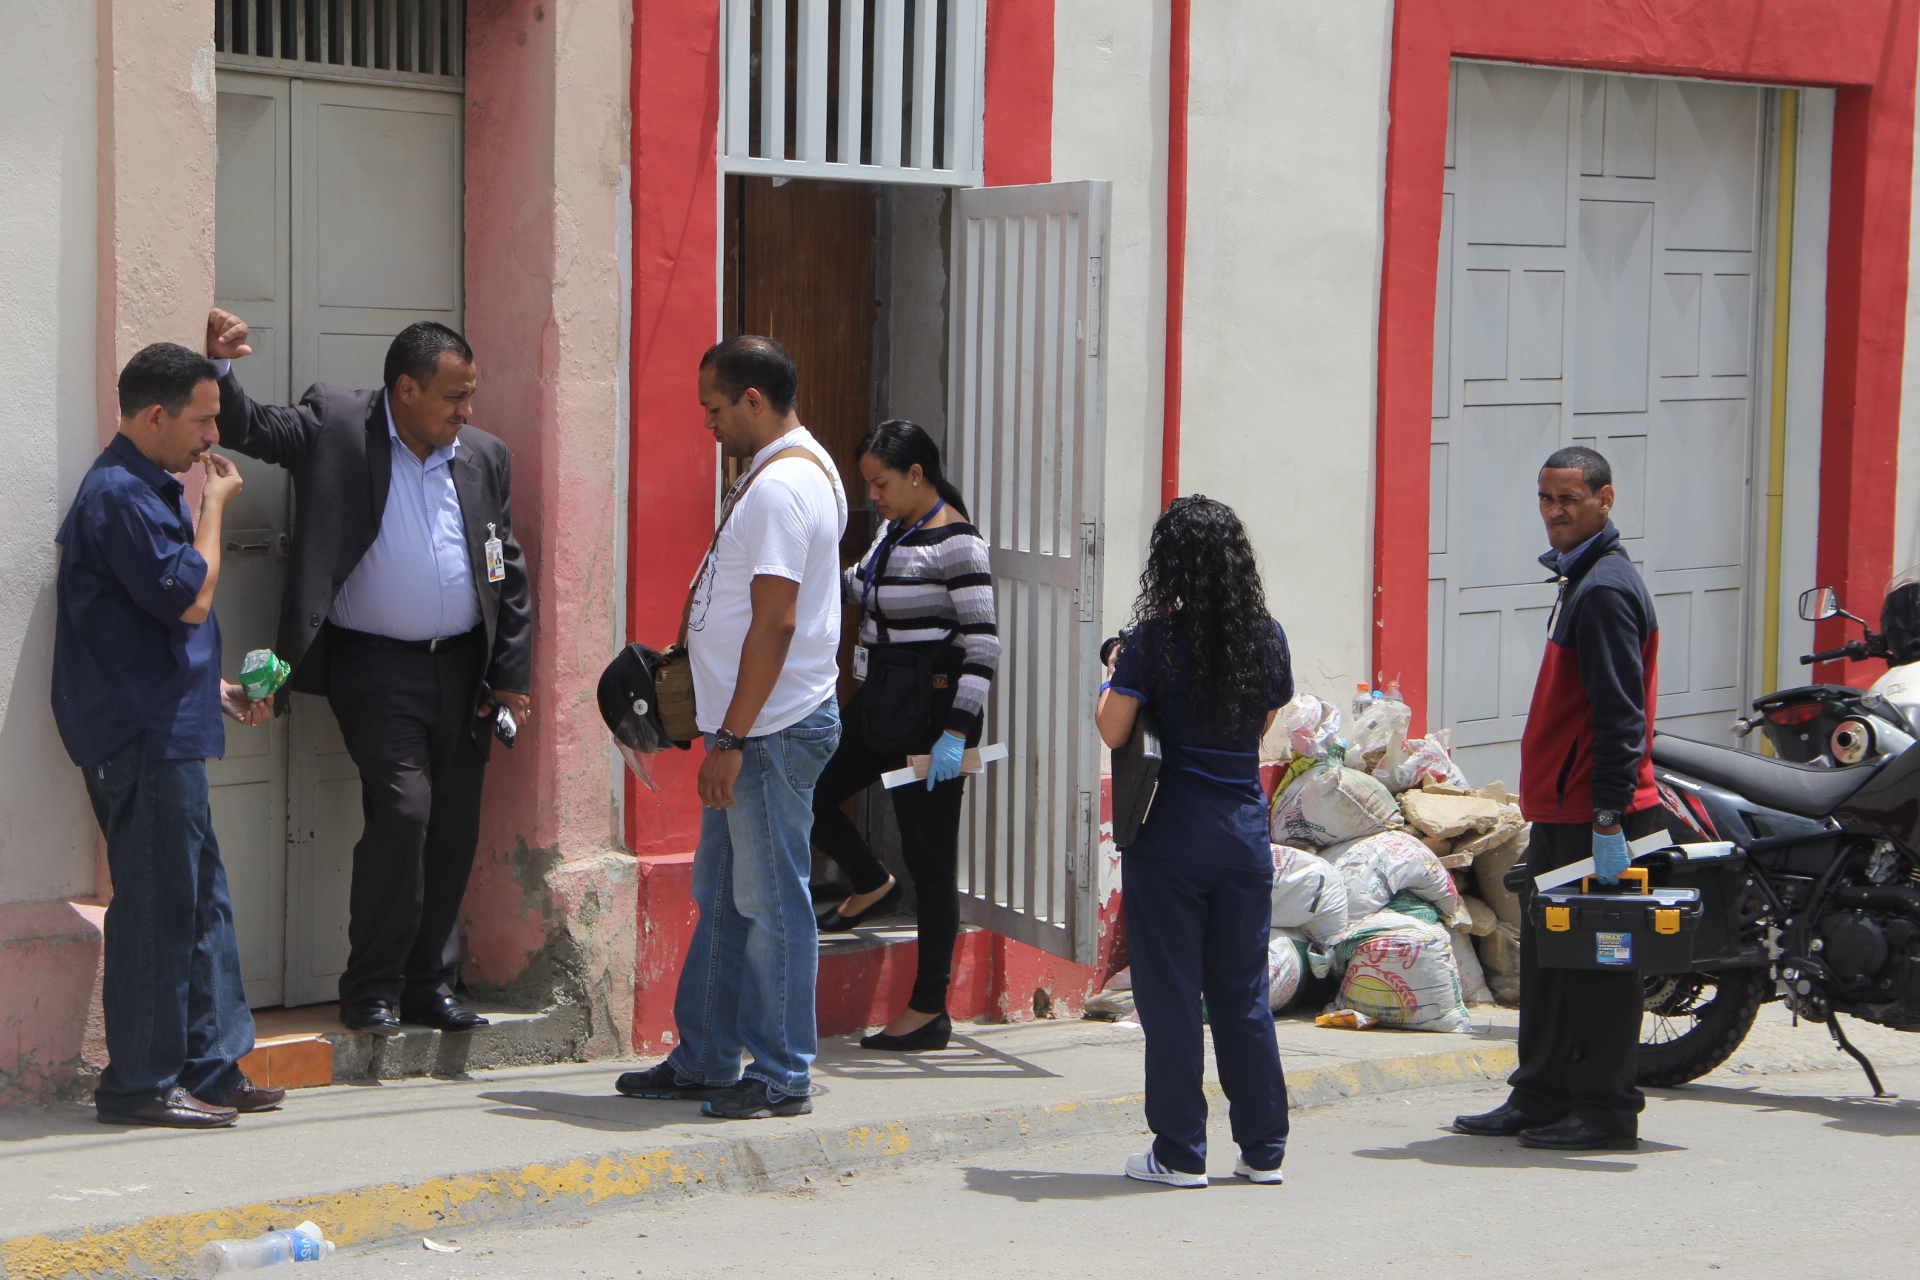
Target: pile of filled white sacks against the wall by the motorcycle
{"x":1420,"y":861}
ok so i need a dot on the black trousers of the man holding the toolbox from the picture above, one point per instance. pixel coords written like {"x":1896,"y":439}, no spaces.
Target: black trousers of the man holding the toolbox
{"x":1579,"y":1028}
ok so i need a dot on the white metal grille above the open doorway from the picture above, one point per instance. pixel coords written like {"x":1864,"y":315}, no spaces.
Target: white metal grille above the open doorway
{"x":884,"y":91}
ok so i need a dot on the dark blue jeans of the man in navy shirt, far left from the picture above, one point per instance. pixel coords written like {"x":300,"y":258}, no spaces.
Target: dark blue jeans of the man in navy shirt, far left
{"x":172,"y":993}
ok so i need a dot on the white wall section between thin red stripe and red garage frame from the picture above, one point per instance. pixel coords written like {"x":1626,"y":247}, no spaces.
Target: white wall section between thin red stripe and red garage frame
{"x":1287,"y":164}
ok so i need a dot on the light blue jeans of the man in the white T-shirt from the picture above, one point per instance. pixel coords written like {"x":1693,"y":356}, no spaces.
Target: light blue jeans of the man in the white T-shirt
{"x":748,"y":985}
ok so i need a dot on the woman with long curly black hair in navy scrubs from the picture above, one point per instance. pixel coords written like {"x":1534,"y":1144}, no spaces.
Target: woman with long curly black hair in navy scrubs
{"x":1209,"y":667}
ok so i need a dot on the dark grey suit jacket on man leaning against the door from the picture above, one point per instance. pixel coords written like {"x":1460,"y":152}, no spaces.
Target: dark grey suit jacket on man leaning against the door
{"x":337,"y":448}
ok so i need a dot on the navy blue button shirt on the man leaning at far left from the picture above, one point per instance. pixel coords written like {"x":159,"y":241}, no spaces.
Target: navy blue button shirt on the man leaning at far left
{"x":124,"y":663}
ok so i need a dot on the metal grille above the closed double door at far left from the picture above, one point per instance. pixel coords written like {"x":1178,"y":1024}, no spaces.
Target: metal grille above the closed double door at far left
{"x":393,"y":41}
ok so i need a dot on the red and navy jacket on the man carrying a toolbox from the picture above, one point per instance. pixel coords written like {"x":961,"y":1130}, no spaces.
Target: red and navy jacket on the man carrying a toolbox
{"x":1589,"y":736}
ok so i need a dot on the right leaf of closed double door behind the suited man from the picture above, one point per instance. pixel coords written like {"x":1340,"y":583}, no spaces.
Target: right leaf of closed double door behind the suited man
{"x":377,"y":247}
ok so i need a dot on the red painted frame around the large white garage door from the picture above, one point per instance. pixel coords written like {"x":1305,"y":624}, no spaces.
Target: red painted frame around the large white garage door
{"x":1863,"y":47}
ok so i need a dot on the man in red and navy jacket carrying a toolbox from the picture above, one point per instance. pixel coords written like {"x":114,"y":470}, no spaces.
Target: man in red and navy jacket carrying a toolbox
{"x":1587,"y":784}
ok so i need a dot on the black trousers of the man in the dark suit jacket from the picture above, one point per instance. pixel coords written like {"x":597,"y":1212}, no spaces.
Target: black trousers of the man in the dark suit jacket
{"x":408,"y":723}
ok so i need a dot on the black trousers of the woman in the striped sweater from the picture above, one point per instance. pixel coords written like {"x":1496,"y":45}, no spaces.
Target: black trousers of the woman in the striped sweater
{"x":930,"y":845}
